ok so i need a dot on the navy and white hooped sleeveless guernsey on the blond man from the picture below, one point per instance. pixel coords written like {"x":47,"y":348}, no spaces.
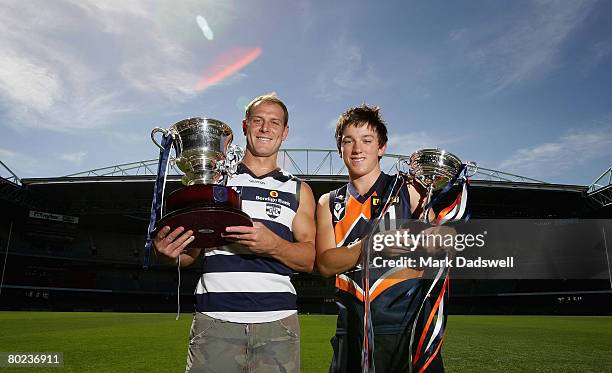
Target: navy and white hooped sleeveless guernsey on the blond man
{"x":239,"y":286}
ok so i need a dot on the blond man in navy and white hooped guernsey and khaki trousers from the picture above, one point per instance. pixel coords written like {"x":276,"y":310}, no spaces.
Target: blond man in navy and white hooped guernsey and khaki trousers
{"x":246,"y":313}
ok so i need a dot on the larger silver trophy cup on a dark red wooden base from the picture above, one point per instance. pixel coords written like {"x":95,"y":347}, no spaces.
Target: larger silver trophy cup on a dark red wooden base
{"x":204,"y":152}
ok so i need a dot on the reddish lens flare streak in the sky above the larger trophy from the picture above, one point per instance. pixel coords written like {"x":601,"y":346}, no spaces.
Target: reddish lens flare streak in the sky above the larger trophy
{"x":226,"y":65}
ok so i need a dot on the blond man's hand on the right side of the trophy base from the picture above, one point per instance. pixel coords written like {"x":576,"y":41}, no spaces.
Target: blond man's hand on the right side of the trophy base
{"x":258,"y":238}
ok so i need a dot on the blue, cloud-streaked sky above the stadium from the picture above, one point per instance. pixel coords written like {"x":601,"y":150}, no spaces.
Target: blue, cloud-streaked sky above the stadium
{"x":519,"y":86}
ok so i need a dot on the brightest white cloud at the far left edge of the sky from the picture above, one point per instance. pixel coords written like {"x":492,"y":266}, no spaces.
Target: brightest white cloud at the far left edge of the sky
{"x":45,"y":82}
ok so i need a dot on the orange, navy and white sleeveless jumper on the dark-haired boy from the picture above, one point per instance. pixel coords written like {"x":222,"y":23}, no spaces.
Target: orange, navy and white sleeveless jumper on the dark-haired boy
{"x":396,"y":294}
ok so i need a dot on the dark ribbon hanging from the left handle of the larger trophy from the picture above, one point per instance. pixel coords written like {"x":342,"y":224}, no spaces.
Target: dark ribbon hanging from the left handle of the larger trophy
{"x":158,"y":191}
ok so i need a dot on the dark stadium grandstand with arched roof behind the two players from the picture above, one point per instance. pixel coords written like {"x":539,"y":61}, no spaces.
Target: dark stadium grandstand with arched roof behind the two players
{"x":76,"y":242}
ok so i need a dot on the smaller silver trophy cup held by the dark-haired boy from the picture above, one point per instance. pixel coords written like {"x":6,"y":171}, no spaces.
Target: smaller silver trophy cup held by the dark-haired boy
{"x":434,"y":168}
